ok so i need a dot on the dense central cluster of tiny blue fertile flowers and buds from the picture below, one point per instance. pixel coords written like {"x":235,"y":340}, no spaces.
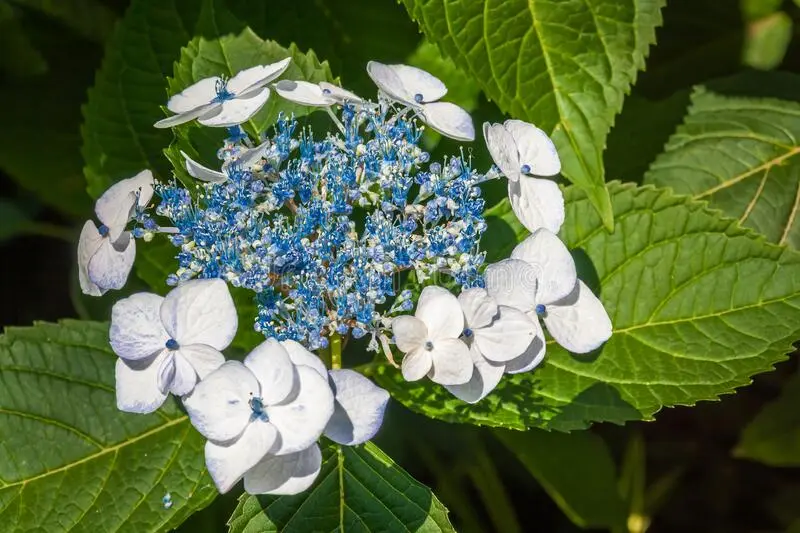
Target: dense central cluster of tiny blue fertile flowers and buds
{"x":320,"y":229}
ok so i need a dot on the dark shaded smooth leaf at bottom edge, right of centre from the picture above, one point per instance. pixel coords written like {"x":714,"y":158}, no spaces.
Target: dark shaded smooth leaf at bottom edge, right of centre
{"x":576,"y":470}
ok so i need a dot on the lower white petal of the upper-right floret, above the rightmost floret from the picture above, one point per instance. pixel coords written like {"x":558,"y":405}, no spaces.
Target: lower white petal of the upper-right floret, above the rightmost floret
{"x":537,"y":203}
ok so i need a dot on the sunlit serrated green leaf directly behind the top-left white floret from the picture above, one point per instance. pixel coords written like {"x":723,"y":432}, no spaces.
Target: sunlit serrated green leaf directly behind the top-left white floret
{"x":229,"y":54}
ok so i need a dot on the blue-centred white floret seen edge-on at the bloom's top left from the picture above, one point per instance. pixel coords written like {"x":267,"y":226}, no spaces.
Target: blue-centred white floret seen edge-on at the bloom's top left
{"x":224,"y":103}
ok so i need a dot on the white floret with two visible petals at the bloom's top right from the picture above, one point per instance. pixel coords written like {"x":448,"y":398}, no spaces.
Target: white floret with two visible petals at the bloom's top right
{"x":420,"y":91}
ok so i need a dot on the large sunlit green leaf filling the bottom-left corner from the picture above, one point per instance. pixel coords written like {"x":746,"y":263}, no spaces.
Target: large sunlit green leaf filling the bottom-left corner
{"x":70,"y":461}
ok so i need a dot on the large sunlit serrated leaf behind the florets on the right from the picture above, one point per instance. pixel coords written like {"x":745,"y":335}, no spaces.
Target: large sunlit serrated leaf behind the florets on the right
{"x":698,"y":304}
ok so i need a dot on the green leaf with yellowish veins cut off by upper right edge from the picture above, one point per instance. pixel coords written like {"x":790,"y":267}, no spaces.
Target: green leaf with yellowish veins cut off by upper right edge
{"x":741,"y":155}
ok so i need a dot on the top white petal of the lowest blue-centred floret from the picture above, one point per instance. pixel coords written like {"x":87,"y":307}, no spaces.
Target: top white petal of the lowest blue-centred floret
{"x":270,"y":364}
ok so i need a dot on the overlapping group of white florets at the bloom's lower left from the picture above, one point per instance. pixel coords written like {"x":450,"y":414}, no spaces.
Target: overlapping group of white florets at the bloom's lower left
{"x":263,"y":416}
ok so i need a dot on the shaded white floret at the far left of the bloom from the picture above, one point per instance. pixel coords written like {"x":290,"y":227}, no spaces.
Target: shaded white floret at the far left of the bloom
{"x":106,"y":254}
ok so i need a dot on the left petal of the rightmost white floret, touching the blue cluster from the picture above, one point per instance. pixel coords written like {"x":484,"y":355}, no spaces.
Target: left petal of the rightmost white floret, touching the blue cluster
{"x":512,"y":282}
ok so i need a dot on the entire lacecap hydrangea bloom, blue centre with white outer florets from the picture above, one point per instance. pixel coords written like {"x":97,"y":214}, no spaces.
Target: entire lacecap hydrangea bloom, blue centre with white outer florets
{"x":320,"y":229}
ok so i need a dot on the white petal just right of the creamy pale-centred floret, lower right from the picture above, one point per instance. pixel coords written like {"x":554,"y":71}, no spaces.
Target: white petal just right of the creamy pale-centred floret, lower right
{"x":507,"y":337}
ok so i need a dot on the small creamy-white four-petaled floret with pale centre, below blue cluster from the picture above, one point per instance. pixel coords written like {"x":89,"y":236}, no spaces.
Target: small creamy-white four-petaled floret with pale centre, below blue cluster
{"x":430,"y":339}
